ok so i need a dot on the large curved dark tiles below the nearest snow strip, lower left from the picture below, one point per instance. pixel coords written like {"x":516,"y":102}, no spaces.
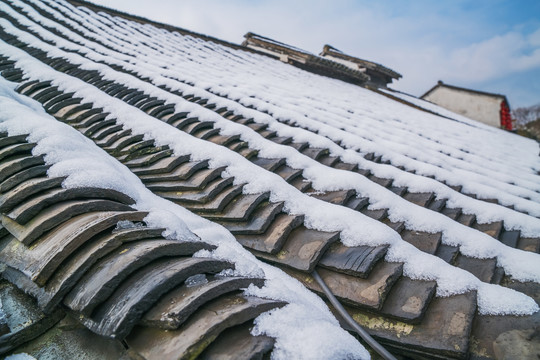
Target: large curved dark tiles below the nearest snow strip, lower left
{"x":88,"y":249}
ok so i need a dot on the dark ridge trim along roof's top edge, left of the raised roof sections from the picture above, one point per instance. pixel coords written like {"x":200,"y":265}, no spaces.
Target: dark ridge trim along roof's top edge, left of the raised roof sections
{"x":144,"y":20}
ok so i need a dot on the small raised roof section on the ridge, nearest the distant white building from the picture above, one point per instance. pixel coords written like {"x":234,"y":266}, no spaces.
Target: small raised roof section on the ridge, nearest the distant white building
{"x":380,"y":76}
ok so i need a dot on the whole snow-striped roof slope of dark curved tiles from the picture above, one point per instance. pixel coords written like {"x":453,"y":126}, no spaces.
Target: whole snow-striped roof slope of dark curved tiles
{"x":429,"y":240}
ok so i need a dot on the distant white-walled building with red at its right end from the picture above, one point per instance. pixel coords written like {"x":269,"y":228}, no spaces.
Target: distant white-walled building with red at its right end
{"x":488,"y":108}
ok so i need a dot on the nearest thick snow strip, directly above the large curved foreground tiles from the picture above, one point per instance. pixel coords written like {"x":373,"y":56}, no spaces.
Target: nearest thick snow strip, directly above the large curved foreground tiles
{"x":84,"y":164}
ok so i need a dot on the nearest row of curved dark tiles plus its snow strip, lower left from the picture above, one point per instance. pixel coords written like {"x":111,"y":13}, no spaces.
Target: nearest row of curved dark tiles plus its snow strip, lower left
{"x":83,"y":241}
